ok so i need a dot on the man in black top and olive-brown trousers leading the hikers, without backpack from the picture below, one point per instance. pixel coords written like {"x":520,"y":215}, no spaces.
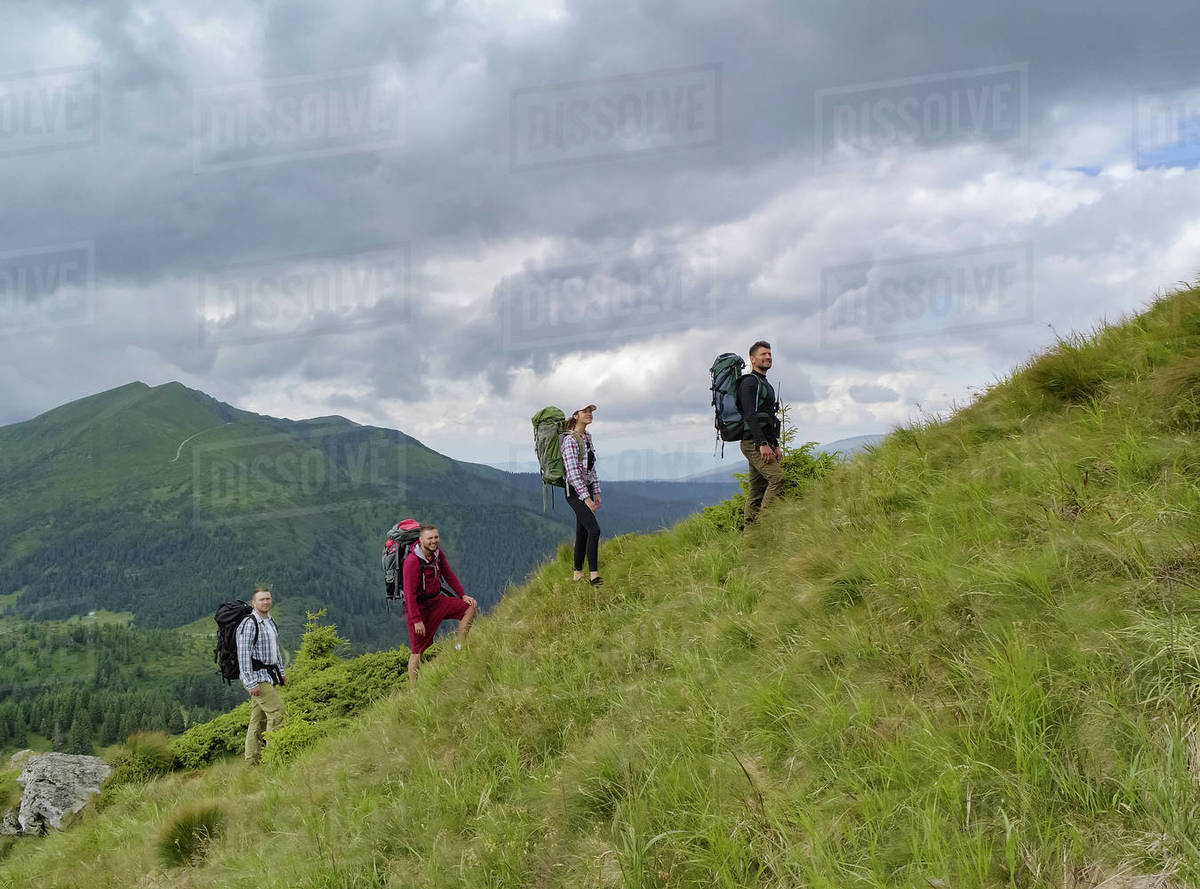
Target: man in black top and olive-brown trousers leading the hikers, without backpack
{"x":760,"y":442}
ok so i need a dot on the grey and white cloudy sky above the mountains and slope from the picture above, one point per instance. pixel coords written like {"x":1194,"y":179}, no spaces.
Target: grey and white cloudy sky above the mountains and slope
{"x":442,"y":217}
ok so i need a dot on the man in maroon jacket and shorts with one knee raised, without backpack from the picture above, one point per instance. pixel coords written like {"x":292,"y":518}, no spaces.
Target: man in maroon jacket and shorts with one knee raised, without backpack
{"x":425,"y":608}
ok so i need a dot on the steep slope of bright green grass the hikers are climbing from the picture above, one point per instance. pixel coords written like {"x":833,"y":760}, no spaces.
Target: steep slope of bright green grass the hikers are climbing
{"x":965,"y":660}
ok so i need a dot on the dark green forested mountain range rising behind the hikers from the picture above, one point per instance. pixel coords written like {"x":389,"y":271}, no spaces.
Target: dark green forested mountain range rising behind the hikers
{"x":163,"y":502}
